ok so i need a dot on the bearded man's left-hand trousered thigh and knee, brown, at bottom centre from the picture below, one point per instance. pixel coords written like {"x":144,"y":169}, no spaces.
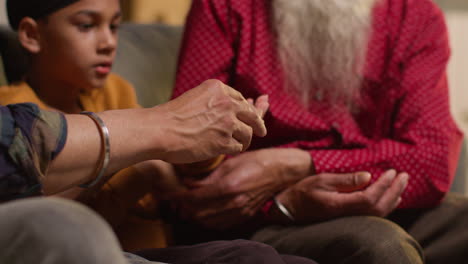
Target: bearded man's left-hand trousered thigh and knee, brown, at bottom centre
{"x":358,"y":239}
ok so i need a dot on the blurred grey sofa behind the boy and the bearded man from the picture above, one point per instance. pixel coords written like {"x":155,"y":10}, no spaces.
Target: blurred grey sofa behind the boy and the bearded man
{"x":147,"y":57}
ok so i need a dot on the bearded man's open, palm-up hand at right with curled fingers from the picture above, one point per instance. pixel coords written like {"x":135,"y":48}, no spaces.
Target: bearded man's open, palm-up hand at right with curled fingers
{"x":327,"y":196}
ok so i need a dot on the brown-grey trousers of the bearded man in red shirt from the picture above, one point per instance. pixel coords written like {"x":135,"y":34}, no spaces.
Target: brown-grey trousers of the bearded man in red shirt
{"x":434,"y":236}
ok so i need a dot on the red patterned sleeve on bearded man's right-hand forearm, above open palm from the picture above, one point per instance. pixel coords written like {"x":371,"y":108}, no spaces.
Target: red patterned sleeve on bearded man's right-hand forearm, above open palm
{"x":430,"y":165}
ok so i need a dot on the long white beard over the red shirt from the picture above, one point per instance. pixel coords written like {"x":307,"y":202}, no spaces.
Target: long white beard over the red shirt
{"x":322,"y":46}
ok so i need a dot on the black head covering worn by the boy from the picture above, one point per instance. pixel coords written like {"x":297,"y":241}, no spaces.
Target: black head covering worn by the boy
{"x":18,"y":9}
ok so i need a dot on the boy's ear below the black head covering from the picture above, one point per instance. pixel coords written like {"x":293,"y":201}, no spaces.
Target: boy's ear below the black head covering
{"x":28,"y":35}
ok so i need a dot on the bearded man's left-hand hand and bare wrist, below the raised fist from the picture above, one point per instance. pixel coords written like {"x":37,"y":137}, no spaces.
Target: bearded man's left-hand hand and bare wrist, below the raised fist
{"x":239,"y":187}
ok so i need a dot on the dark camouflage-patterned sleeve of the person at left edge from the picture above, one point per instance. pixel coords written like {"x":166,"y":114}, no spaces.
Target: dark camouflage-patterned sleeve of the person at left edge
{"x":30,"y":139}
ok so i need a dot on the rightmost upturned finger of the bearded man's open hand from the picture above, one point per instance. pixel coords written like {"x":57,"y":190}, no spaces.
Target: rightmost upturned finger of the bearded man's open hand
{"x":392,"y":196}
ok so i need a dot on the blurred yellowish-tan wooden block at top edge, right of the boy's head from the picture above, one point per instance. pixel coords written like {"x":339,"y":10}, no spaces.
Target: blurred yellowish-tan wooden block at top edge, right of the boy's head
{"x":149,"y":11}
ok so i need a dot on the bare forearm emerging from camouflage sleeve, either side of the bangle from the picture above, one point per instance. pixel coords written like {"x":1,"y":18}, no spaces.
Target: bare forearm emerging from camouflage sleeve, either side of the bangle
{"x":132,"y":134}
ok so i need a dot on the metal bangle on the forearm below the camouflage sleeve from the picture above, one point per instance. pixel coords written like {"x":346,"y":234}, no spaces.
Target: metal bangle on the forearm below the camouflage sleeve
{"x":105,"y":156}
